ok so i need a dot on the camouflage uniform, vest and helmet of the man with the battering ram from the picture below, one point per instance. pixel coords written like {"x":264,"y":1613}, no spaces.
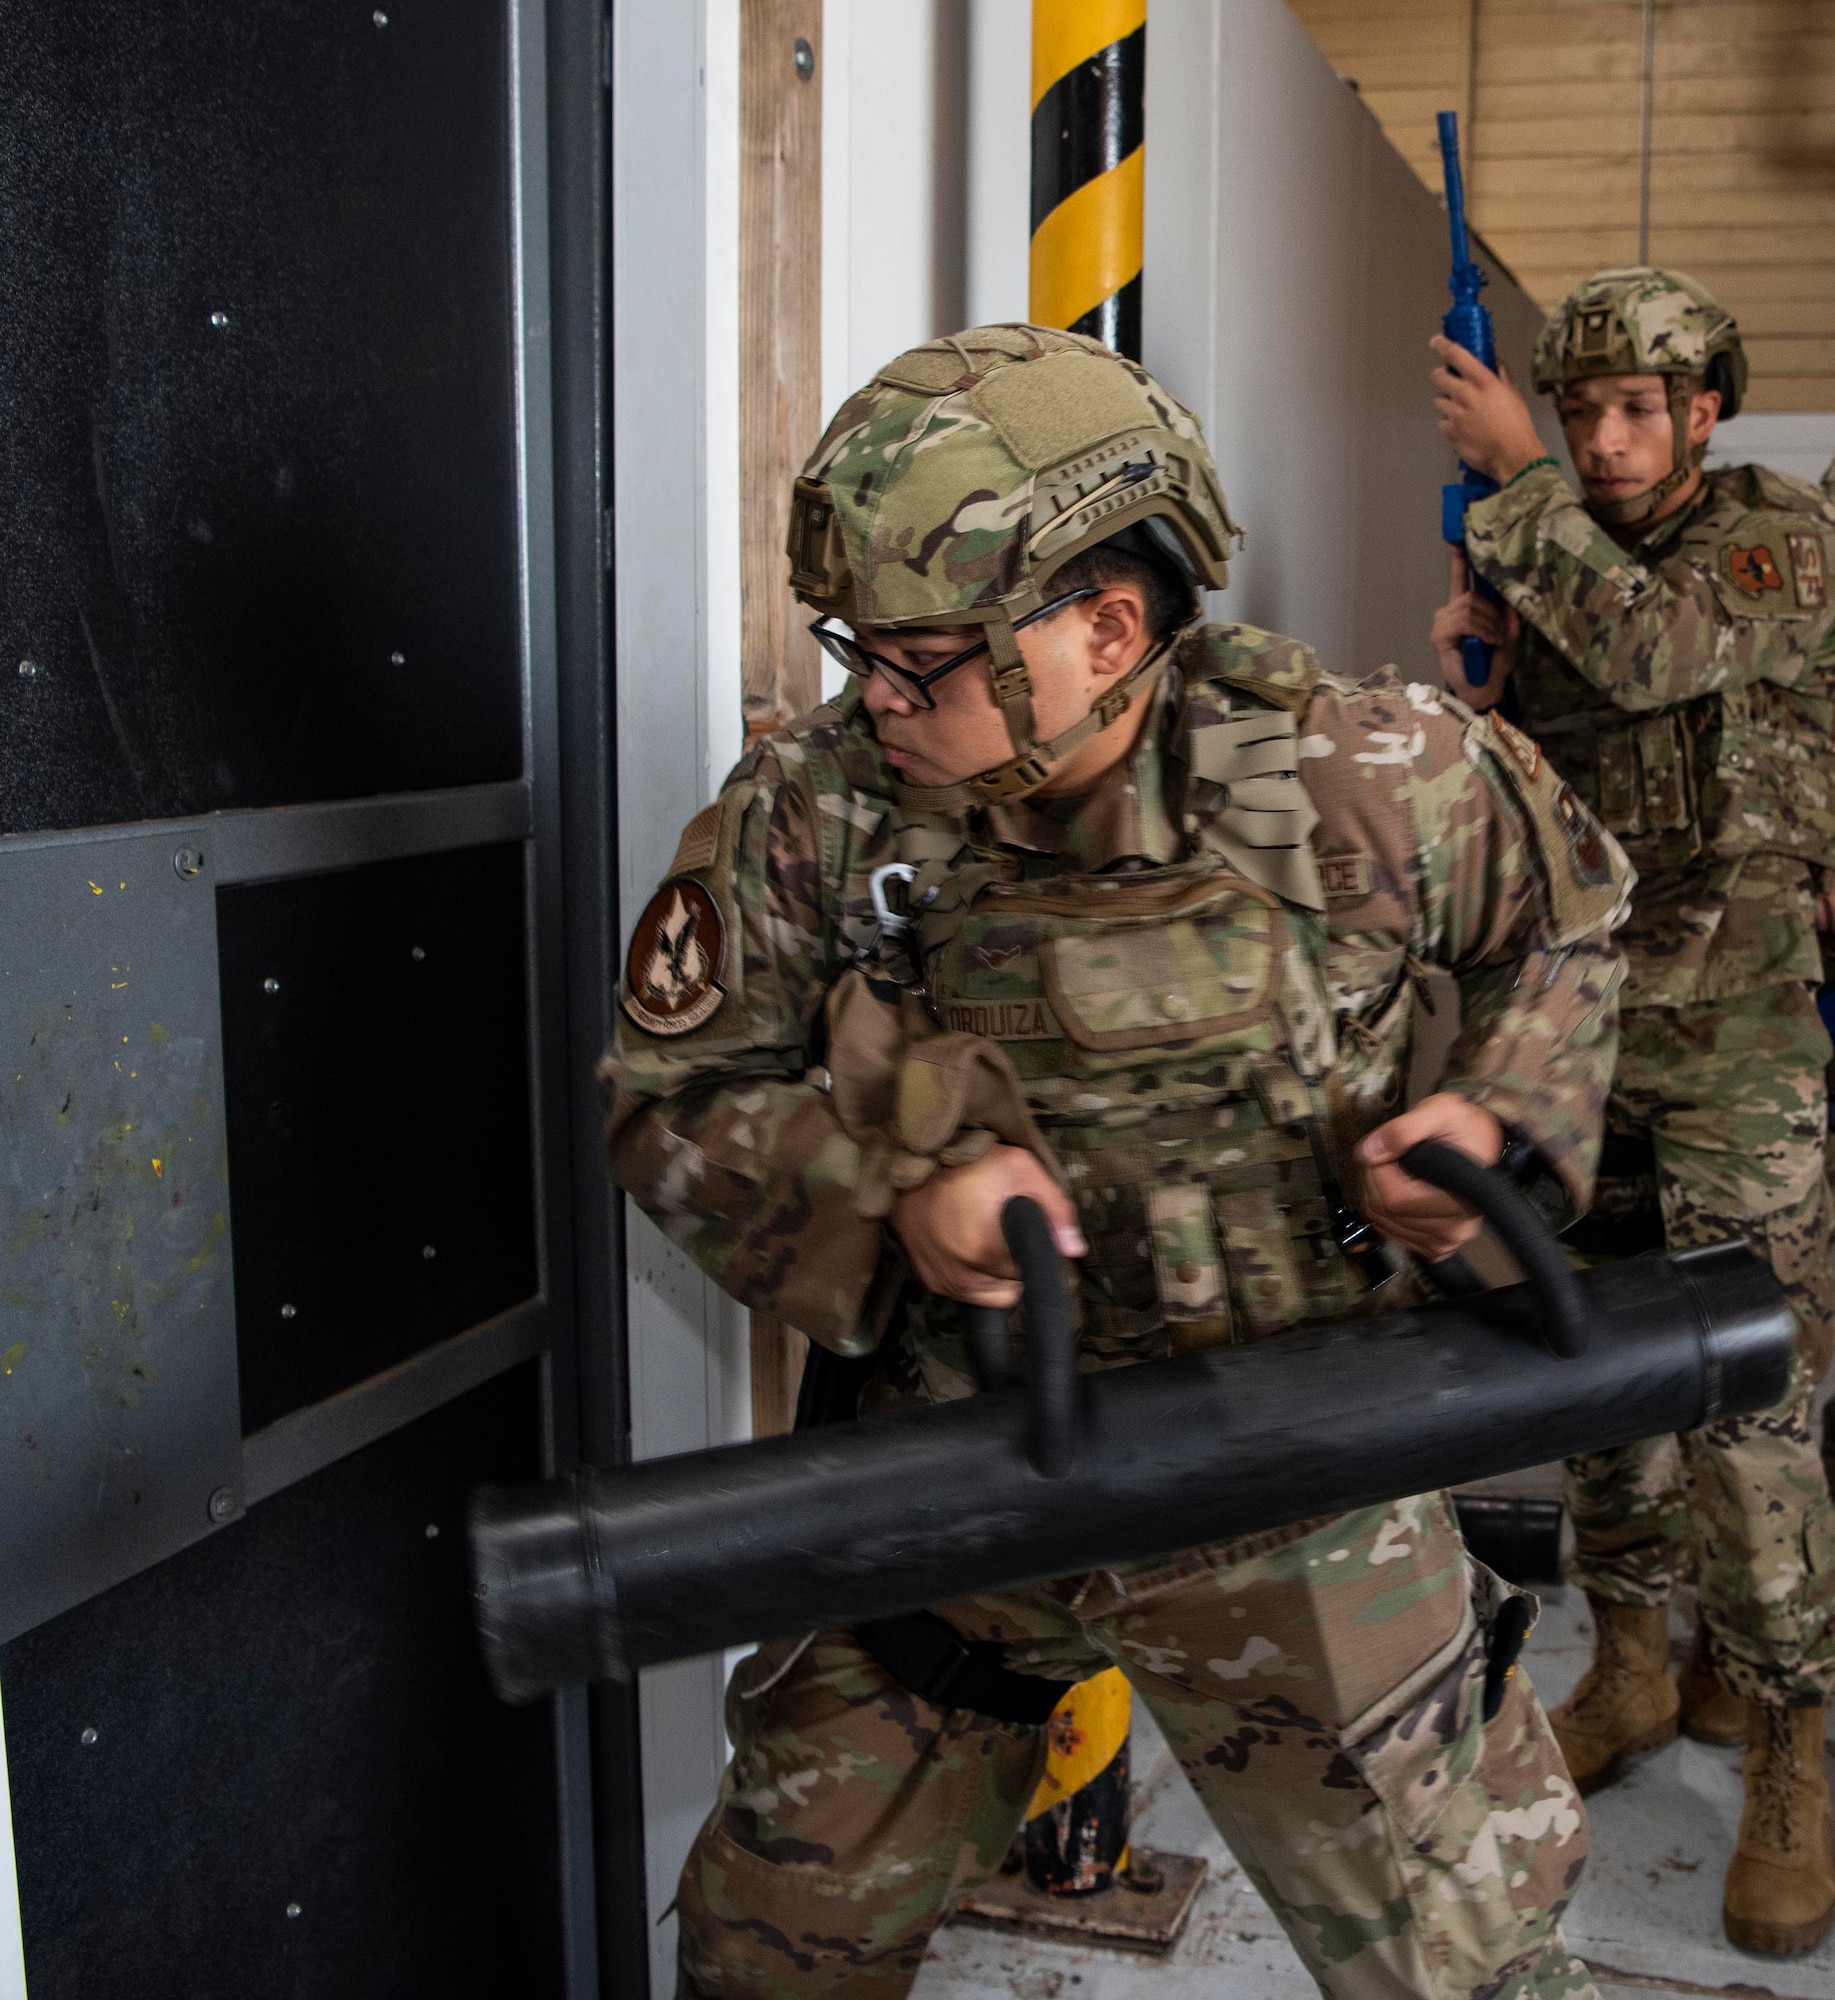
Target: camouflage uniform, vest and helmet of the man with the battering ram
{"x":1188,"y":993}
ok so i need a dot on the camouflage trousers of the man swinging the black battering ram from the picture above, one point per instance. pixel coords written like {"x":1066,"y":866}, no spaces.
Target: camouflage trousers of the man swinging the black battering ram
{"x":1324,"y":1695}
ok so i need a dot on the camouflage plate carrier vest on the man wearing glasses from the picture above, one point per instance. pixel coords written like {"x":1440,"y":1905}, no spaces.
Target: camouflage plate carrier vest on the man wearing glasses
{"x":1170,"y":1027}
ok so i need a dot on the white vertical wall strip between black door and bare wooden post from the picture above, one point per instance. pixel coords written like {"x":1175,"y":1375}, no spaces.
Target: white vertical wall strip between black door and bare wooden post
{"x":677,"y":635}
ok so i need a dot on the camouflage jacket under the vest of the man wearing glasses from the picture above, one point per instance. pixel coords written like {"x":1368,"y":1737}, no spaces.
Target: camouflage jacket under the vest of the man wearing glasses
{"x":1442,"y":841}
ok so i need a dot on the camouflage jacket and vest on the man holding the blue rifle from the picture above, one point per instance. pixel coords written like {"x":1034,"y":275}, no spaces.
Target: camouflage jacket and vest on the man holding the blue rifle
{"x":1684,"y":687}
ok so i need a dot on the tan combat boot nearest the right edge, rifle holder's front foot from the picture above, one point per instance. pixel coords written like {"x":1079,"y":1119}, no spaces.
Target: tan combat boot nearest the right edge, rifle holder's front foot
{"x":1782,"y":1883}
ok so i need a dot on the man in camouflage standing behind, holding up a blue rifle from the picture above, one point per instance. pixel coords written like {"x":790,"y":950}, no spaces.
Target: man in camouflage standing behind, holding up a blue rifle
{"x":1670,"y":639}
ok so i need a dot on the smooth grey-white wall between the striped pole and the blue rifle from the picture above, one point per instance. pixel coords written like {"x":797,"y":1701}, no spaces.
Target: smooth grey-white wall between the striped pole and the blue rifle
{"x":1294,"y":273}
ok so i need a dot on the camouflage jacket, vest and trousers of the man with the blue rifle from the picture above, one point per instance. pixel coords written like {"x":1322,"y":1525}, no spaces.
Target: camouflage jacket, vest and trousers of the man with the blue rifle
{"x":1684,"y":687}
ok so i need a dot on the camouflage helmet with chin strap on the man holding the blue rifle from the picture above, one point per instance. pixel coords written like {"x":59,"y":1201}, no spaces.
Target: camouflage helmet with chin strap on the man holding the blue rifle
{"x":1646,"y":321}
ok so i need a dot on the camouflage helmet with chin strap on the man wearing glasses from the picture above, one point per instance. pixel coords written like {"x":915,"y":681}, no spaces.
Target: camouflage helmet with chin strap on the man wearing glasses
{"x":966,"y":473}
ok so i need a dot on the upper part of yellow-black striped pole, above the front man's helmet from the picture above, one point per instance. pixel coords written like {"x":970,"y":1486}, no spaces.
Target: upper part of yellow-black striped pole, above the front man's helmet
{"x":1088,"y":121}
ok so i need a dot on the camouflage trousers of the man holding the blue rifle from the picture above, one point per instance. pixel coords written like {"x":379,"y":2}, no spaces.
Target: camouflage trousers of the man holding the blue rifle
{"x":1716,"y":1129}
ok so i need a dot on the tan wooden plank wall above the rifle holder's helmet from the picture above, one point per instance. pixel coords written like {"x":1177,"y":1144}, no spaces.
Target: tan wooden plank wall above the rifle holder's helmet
{"x":1742,"y":147}
